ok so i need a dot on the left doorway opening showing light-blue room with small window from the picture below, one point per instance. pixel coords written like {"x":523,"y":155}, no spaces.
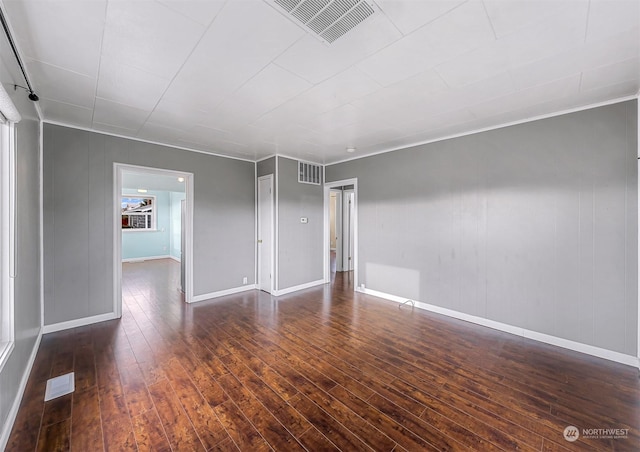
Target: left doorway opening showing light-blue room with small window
{"x":153,"y":211}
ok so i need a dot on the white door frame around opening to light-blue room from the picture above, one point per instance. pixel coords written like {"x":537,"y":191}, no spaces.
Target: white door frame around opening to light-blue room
{"x":118,"y":169}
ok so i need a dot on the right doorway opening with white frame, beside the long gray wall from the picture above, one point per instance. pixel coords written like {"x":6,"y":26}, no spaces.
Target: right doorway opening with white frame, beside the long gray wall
{"x":340,"y":229}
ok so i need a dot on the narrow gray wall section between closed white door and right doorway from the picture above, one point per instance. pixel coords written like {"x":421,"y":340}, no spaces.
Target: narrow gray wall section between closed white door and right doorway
{"x":300,"y":245}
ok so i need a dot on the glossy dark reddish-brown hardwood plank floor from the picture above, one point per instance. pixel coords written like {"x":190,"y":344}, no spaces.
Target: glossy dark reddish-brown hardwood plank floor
{"x":322,"y":369}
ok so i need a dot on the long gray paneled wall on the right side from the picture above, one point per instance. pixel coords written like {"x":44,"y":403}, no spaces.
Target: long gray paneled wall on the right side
{"x":533,"y":225}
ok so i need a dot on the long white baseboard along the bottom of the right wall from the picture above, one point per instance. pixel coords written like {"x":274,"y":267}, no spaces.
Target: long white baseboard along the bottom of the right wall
{"x":518,"y":331}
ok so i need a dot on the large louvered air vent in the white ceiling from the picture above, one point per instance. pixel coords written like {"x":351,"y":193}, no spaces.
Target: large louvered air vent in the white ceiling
{"x":327,"y":19}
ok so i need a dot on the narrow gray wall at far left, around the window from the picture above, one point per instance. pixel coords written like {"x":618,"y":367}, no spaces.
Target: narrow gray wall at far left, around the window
{"x":27,"y":318}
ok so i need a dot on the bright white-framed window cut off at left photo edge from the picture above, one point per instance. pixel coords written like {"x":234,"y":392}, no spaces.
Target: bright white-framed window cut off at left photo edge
{"x":7,"y":239}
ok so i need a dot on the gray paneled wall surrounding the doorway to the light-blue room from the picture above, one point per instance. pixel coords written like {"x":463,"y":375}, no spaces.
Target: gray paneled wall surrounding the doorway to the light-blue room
{"x":78,"y":218}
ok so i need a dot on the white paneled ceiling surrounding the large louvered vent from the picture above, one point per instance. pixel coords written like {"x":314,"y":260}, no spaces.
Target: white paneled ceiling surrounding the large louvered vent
{"x":239,"y":78}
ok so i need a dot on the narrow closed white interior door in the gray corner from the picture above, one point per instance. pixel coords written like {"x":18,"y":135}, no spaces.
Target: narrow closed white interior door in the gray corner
{"x":265,"y":233}
